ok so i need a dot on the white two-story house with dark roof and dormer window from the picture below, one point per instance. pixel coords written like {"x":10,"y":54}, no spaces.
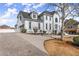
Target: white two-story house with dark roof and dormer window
{"x":49,"y":22}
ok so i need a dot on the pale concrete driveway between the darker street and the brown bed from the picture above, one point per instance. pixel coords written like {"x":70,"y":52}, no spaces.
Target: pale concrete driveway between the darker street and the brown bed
{"x":36,"y":40}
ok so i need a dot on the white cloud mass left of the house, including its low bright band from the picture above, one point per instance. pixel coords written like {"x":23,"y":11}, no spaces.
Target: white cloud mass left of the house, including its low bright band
{"x":6,"y":18}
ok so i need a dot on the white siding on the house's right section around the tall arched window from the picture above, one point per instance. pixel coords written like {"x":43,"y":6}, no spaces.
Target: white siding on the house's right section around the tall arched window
{"x":52,"y":22}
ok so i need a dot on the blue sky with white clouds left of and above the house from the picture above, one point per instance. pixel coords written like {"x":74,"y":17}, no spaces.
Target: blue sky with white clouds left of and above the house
{"x":9,"y":11}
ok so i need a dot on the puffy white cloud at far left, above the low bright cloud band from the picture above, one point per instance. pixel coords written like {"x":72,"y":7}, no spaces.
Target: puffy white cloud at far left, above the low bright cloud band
{"x":9,"y":12}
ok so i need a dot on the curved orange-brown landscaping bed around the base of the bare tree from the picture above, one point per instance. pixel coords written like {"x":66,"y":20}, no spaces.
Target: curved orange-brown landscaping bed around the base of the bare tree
{"x":56,"y":47}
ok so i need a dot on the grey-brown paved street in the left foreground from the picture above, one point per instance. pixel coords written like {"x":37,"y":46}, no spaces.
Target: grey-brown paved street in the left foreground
{"x":12,"y":44}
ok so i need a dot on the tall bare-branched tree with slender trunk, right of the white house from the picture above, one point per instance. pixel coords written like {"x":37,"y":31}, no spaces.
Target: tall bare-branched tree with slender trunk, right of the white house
{"x":66,"y":9}
